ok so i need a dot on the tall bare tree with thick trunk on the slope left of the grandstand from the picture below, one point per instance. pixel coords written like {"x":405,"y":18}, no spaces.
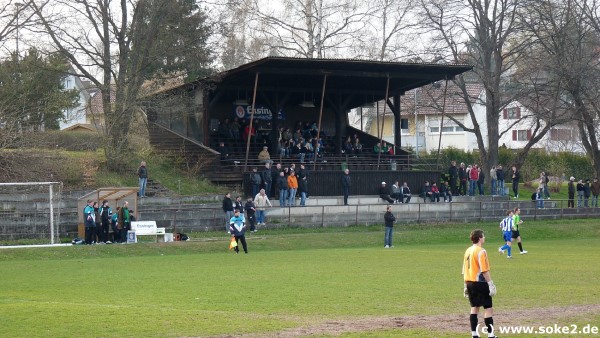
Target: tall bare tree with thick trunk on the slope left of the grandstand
{"x":118,"y":45}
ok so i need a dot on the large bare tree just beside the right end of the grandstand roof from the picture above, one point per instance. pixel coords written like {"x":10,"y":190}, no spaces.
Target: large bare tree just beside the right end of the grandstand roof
{"x":487,"y":35}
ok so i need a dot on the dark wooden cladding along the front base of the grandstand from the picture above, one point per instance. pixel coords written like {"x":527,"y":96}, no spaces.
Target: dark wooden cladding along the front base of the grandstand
{"x":329,"y":183}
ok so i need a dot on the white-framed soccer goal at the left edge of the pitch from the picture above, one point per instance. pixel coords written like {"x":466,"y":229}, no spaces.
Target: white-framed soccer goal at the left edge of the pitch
{"x":30,"y":212}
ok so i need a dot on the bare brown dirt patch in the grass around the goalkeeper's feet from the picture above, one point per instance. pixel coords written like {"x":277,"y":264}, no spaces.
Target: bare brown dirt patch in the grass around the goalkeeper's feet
{"x":451,"y":323}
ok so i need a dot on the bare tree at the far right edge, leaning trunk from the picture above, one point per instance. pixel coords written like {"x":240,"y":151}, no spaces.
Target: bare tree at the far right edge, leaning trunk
{"x":567,"y":54}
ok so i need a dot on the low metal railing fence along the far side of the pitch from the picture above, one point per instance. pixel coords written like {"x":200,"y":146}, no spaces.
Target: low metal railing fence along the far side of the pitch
{"x":209,"y":218}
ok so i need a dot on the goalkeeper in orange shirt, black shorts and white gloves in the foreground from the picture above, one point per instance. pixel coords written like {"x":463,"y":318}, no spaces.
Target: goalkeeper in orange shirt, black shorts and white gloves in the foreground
{"x":479,"y":287}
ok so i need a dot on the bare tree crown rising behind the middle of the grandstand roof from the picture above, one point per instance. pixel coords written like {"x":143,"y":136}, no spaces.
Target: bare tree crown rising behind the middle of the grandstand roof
{"x":309,"y":28}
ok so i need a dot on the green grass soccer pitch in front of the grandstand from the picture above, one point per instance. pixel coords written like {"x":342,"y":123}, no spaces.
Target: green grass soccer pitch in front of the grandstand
{"x":299,"y":282}
